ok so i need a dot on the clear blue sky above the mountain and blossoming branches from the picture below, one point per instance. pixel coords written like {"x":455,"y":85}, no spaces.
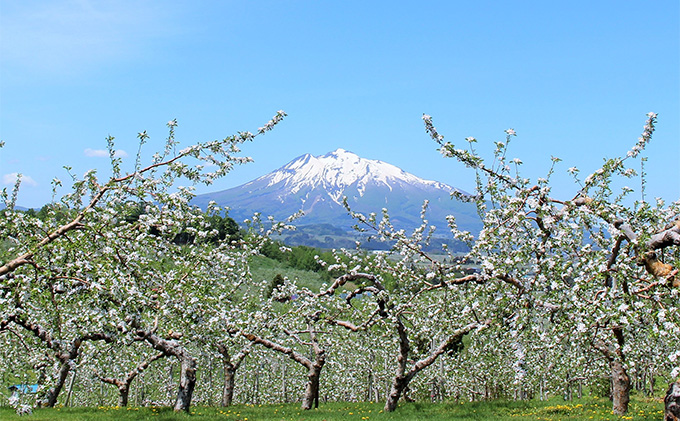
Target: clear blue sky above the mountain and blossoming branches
{"x":574,"y":79}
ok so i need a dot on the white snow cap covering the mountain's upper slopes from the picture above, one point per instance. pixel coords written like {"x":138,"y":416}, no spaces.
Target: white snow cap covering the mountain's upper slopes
{"x":340,"y":170}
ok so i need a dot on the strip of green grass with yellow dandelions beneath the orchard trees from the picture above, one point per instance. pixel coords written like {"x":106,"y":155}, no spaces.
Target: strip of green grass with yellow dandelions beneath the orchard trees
{"x":555,"y":409}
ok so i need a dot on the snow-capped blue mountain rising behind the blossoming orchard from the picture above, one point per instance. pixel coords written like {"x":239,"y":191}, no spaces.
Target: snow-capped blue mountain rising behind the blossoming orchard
{"x":318,"y":184}
